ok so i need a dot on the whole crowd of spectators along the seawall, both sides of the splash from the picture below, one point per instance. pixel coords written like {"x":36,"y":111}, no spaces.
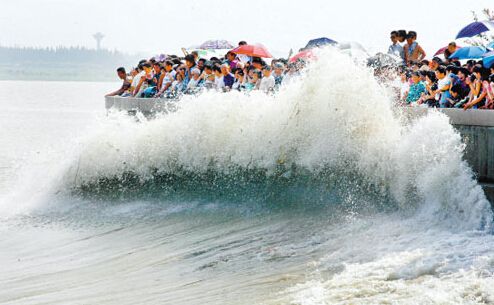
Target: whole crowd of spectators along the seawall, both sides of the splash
{"x":440,"y":82}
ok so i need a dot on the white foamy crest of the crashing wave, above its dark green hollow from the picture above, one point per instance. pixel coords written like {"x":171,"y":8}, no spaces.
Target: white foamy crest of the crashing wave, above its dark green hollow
{"x":334,"y":115}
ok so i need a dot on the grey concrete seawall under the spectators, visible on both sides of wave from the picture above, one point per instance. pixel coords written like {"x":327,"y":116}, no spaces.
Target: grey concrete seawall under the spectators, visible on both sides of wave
{"x":475,"y":126}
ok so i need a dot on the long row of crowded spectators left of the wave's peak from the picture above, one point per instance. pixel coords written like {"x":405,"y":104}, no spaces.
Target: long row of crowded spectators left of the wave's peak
{"x":172,"y":76}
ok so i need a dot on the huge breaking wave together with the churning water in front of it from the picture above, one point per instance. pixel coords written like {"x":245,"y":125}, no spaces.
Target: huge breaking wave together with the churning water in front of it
{"x":318,"y":195}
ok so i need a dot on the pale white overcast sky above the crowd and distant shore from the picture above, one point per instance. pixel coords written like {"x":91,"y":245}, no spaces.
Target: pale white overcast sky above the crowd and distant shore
{"x":163,"y":26}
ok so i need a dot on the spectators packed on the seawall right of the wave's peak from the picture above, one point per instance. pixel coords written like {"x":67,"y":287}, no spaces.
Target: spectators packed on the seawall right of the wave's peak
{"x":440,"y":82}
